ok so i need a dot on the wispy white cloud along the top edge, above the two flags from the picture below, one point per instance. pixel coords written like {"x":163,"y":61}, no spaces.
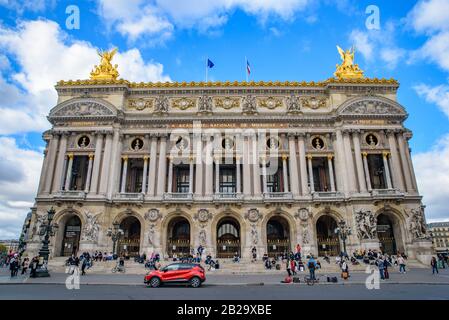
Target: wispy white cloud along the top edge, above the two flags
{"x":157,"y":21}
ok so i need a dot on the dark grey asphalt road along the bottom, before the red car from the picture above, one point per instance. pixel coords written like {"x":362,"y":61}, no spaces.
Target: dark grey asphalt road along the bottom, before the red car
{"x":265,"y":292}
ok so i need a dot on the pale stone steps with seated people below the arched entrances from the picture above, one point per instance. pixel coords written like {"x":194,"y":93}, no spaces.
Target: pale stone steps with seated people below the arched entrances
{"x":227,"y":266}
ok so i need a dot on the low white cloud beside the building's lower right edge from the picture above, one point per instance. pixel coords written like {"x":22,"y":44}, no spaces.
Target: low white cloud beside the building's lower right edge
{"x":432,"y":184}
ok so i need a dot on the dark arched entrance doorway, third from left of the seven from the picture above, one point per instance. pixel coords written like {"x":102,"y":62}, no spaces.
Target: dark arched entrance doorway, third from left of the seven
{"x":178,"y":237}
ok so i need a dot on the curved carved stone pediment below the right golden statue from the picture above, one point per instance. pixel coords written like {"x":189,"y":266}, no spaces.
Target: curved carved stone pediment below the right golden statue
{"x":371,"y":106}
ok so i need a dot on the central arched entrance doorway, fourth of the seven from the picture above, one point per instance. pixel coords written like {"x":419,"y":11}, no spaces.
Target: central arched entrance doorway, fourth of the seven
{"x":228,"y":238}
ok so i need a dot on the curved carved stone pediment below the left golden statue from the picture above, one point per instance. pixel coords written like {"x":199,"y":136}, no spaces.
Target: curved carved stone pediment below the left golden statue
{"x":83,"y":107}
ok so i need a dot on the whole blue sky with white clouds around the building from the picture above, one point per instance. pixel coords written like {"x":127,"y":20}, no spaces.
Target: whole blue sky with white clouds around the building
{"x":169,"y":40}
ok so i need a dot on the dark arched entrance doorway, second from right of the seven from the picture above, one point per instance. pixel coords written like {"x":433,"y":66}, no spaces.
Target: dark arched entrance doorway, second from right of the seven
{"x":327,"y":240}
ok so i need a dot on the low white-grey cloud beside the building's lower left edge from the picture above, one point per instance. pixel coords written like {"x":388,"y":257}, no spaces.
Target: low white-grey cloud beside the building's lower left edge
{"x":19,"y":178}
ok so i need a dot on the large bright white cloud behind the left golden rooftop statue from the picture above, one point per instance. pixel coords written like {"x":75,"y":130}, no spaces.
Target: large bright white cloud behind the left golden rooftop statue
{"x":45,"y":55}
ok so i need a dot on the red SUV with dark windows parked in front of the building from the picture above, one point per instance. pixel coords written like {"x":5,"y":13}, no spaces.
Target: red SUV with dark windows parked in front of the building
{"x":190,"y":273}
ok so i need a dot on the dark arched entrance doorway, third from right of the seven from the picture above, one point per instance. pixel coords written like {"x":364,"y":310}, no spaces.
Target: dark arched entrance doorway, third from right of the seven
{"x":278,"y":236}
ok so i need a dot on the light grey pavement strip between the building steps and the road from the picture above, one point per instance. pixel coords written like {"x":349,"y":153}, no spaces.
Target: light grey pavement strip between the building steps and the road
{"x":414,"y":276}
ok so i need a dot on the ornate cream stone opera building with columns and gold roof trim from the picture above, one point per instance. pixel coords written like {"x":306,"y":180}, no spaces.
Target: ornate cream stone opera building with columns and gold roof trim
{"x":230,"y":166}
